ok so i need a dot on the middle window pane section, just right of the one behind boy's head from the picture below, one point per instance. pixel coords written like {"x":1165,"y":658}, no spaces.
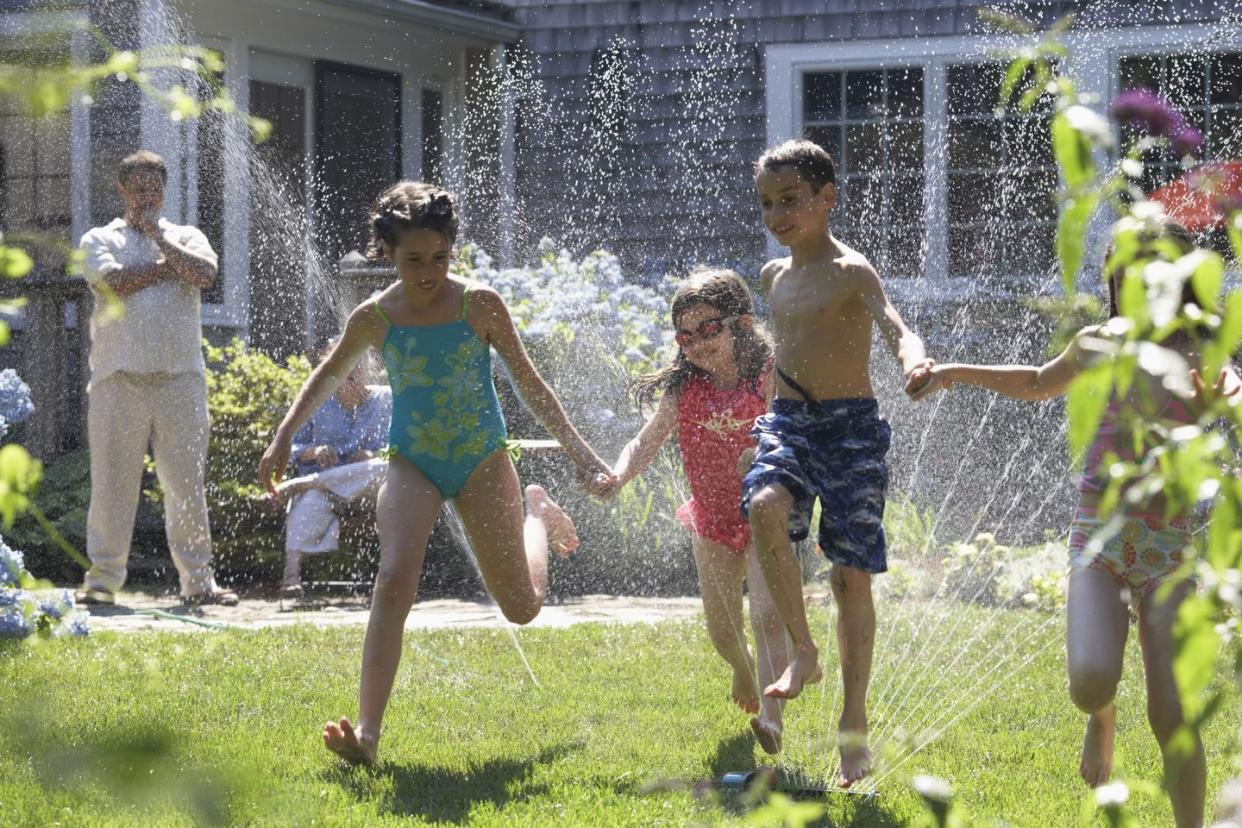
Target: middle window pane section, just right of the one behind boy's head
{"x":1002,"y":179}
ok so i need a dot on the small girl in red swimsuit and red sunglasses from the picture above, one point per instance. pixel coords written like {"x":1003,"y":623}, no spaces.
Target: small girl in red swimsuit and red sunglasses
{"x":720,"y":382}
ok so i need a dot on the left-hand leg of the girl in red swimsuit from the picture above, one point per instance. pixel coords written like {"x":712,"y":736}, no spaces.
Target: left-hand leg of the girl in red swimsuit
{"x":721,"y":575}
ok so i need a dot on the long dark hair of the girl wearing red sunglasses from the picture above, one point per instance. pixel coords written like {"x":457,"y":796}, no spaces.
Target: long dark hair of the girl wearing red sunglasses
{"x":752,"y":347}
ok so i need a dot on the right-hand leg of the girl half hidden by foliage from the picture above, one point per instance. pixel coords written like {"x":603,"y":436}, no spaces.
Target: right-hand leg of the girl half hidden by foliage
{"x":1187,"y":784}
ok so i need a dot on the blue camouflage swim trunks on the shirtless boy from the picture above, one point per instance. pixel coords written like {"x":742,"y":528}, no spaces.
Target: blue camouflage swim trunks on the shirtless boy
{"x":832,"y":450}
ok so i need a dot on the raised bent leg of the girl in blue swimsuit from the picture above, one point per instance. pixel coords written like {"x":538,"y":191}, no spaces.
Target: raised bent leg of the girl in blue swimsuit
{"x":512,"y":551}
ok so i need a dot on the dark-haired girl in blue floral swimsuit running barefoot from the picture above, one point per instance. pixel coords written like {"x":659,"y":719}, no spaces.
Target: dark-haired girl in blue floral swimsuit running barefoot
{"x":435,"y":333}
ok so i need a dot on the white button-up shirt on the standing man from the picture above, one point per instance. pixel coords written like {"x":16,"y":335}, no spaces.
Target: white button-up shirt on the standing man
{"x":161,"y":331}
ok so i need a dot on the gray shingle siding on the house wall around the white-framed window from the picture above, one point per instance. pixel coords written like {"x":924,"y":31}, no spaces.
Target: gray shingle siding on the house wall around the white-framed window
{"x":720,"y":47}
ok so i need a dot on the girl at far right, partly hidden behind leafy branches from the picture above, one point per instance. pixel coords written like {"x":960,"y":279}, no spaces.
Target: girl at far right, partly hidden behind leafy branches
{"x":1122,"y":559}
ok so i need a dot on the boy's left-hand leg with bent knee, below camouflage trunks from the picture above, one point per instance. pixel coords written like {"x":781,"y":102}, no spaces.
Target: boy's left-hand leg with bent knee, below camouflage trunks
{"x":769,"y":526}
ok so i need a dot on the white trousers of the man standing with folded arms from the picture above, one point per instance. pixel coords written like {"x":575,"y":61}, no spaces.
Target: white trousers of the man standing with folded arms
{"x":167,"y":413}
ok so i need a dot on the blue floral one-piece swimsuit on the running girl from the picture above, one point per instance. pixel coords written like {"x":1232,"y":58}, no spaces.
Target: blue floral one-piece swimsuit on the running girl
{"x":446,"y":418}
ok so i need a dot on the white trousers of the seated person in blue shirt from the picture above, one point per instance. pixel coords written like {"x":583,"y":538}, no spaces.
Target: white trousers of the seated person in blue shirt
{"x":312,"y":526}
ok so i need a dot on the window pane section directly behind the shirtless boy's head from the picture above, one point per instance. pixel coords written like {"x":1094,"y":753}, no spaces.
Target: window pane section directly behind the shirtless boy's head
{"x":871,"y":124}
